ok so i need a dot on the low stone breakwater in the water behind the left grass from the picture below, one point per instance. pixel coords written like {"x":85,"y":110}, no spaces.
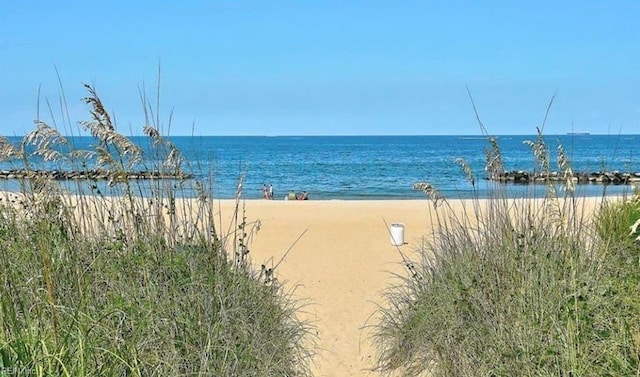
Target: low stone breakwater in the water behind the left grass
{"x":95,"y":175}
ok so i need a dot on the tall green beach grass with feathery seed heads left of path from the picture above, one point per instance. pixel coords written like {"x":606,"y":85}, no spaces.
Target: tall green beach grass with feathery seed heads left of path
{"x":122,"y":277}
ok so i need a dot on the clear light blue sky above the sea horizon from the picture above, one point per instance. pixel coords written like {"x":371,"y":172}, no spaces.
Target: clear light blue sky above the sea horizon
{"x":325,"y":67}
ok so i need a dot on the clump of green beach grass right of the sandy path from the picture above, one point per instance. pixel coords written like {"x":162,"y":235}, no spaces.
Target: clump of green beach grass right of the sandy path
{"x":518,"y":287}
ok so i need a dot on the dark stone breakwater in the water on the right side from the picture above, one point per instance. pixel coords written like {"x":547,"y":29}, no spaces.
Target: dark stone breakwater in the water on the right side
{"x":605,"y":178}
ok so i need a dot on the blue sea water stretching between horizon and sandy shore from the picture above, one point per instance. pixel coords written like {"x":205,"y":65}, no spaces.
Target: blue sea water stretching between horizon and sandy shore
{"x":385,"y":167}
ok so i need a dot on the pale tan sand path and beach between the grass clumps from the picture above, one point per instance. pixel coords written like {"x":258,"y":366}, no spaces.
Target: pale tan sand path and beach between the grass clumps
{"x":341,"y":264}
